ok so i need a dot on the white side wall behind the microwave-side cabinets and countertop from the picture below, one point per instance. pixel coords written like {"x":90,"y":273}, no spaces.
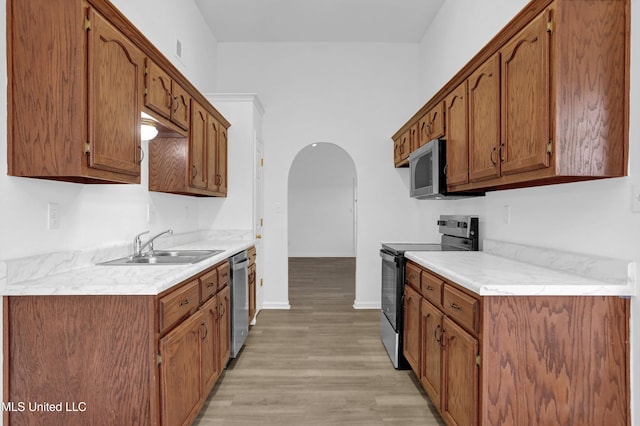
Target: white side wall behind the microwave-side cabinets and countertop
{"x":589,"y":217}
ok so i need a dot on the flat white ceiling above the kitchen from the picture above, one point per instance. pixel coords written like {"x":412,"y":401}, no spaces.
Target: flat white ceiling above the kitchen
{"x":319,"y":20}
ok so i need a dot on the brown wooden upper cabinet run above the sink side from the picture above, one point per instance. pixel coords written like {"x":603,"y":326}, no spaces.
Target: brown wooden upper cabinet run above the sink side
{"x":74,"y":106}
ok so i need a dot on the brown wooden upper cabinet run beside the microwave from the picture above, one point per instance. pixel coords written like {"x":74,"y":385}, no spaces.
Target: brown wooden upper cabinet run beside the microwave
{"x":548,"y":100}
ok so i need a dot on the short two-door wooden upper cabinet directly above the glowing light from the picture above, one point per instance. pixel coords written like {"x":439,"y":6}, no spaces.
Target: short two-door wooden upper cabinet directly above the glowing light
{"x":165,"y":96}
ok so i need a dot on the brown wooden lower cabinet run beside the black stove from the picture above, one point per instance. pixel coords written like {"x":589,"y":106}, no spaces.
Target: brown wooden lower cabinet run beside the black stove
{"x":520,"y":360}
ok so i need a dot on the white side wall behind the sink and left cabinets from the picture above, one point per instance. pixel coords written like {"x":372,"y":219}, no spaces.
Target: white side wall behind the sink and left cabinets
{"x":97,"y":215}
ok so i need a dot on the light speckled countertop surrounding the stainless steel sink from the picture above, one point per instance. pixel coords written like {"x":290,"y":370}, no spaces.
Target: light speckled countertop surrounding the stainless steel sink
{"x":92,"y":279}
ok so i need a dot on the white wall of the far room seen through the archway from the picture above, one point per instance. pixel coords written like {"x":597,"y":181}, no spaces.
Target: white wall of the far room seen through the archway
{"x":322,"y":185}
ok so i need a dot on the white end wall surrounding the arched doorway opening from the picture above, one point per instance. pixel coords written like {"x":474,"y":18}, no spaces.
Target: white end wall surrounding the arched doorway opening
{"x":353,"y":95}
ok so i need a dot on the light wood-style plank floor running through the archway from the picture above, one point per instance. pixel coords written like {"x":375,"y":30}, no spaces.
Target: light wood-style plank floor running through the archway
{"x":320,"y":363}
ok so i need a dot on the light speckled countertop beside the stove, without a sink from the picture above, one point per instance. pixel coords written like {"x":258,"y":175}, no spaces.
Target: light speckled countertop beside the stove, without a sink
{"x":504,"y":269}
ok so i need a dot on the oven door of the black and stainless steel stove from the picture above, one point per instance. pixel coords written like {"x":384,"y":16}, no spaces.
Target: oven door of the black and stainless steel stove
{"x":392,"y":270}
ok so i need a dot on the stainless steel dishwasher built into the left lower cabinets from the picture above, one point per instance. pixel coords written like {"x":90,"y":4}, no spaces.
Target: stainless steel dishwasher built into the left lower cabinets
{"x":239,"y":301}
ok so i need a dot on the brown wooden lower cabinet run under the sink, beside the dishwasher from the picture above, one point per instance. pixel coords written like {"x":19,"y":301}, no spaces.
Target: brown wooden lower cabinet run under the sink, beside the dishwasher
{"x":115,"y":360}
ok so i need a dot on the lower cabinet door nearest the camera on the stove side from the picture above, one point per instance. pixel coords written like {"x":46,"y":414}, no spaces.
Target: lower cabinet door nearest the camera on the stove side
{"x":460,"y":376}
